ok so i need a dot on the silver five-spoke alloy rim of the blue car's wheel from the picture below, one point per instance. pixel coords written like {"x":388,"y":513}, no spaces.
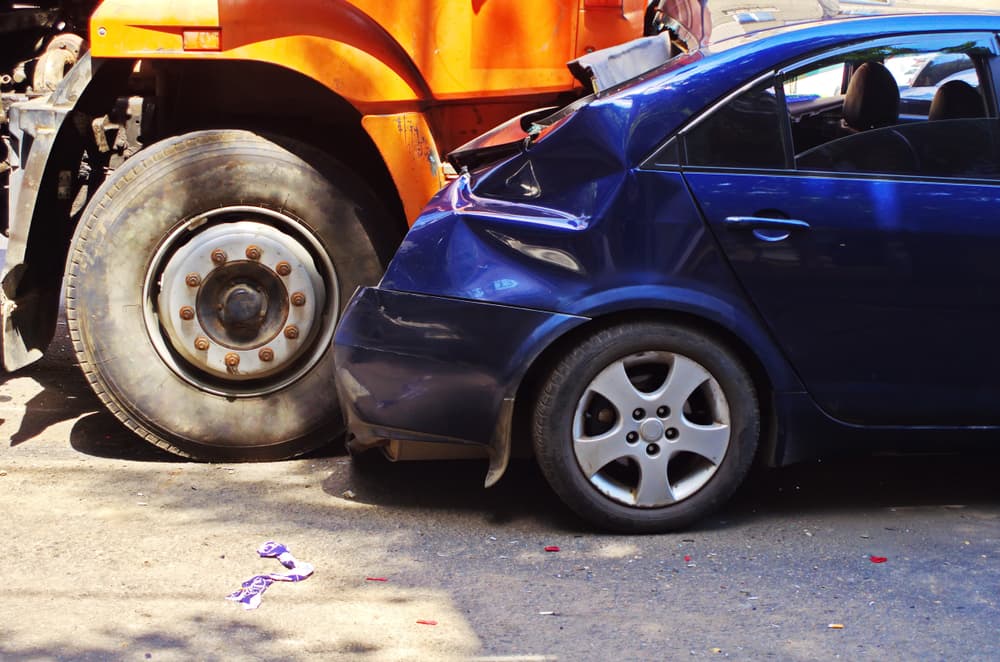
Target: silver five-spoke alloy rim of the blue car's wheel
{"x":651,"y":429}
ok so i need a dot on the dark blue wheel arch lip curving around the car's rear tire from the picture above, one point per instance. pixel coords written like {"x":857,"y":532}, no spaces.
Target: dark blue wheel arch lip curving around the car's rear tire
{"x":767,"y":369}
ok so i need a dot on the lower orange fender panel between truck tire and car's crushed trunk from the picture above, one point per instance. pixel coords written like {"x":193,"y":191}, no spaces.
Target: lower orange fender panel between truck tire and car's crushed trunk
{"x":407,"y":146}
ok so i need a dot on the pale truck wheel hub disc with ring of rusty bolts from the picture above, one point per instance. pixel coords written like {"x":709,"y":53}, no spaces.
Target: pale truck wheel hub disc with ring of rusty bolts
{"x":258,"y":301}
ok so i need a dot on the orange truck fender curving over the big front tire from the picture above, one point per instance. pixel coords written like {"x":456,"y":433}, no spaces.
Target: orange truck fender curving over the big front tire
{"x":330,"y":41}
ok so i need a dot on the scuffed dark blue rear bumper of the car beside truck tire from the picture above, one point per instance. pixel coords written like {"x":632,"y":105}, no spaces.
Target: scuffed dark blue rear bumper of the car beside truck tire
{"x":415,"y":367}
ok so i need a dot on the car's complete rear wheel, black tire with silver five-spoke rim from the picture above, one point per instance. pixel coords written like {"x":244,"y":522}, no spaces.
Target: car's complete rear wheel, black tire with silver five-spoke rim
{"x":646,"y":427}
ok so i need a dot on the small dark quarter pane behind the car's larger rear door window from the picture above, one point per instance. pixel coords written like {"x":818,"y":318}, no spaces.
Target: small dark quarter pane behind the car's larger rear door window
{"x":745,"y":132}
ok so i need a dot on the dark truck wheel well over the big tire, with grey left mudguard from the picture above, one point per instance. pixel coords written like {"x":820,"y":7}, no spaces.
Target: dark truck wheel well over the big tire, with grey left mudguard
{"x":242,"y":97}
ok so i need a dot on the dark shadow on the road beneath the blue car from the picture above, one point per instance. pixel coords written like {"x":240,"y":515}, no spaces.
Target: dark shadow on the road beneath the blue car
{"x":853,"y":485}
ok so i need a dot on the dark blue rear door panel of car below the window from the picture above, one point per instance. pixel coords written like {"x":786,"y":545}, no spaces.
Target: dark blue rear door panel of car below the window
{"x":885,"y":276}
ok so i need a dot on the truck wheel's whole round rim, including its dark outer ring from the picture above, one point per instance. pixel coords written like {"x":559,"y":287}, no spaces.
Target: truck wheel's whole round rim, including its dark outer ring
{"x":241,"y":301}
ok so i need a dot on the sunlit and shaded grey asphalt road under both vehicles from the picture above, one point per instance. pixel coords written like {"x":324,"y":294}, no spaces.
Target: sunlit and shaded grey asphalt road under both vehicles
{"x":118,"y":551}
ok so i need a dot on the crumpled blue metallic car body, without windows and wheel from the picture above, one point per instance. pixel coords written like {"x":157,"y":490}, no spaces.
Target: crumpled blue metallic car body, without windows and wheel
{"x":576,"y":228}
